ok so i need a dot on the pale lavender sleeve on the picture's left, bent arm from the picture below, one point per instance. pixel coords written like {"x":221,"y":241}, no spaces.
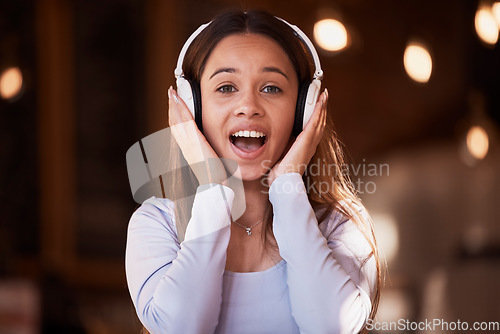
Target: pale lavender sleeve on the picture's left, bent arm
{"x":177,"y":287}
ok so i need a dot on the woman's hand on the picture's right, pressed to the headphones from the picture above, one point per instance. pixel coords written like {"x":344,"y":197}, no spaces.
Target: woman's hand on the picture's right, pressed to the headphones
{"x":303,"y":148}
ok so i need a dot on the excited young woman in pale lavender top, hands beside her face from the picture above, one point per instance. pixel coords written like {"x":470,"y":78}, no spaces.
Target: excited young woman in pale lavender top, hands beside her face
{"x":314,"y":268}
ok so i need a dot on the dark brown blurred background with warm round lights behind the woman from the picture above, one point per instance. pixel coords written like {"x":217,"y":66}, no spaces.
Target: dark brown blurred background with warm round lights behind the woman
{"x":415,"y":97}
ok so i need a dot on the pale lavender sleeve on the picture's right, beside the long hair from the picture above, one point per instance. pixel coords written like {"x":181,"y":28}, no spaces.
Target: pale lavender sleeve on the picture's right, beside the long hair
{"x":331,"y":272}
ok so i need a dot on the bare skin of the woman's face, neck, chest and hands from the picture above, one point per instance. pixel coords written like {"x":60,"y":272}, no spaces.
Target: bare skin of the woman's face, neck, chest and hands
{"x":248,"y":83}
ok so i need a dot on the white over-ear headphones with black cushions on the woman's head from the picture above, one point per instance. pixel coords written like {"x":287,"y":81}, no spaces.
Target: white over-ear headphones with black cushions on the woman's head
{"x":307,"y":95}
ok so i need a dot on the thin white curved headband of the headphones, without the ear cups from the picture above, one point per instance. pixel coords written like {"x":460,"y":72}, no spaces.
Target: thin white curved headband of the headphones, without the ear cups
{"x":318,"y":73}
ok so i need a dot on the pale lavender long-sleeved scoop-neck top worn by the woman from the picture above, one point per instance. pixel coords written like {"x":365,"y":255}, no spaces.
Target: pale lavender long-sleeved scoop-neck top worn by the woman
{"x":321,"y":286}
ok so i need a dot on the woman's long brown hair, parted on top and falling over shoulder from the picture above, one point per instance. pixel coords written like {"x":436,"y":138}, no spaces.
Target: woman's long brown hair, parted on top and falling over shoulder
{"x":340,"y":194}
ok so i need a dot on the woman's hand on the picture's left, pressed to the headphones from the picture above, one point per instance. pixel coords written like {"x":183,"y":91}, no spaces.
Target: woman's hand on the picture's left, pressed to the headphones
{"x":198,"y":153}
